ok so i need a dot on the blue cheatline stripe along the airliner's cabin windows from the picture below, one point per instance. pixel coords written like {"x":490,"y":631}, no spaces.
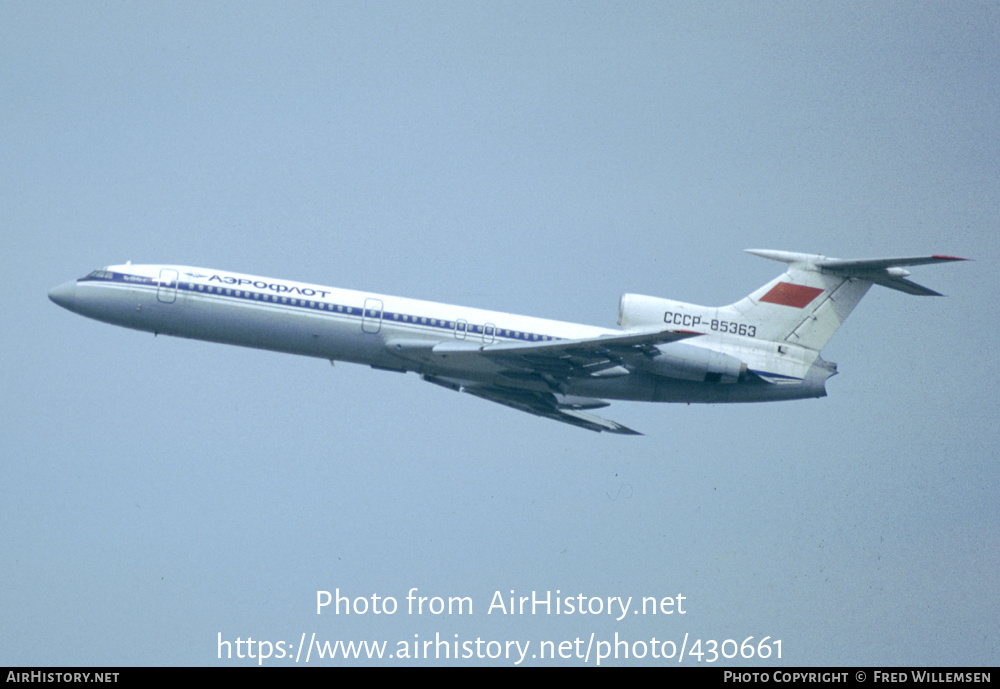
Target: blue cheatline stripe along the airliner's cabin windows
{"x":313,"y":305}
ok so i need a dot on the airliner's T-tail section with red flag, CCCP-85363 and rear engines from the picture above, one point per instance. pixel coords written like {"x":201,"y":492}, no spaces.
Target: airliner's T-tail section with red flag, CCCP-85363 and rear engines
{"x":776,"y":333}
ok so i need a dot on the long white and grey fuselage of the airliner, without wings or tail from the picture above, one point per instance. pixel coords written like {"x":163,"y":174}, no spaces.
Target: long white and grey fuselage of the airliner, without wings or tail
{"x":359,"y":327}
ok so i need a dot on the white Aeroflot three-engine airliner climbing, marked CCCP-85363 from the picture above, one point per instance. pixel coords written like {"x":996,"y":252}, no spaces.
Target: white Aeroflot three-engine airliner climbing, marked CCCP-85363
{"x":764,"y":347}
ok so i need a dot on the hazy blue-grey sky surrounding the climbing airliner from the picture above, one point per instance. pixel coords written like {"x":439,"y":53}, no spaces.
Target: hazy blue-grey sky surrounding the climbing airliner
{"x":538,"y":158}
